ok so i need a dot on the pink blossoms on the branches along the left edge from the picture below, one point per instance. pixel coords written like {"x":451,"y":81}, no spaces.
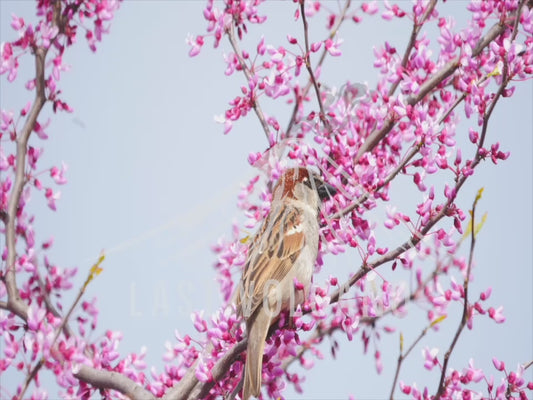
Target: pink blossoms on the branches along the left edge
{"x":42,"y":338}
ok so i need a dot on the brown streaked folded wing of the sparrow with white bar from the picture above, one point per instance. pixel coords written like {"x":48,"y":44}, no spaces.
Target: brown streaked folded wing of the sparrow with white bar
{"x":272,"y":253}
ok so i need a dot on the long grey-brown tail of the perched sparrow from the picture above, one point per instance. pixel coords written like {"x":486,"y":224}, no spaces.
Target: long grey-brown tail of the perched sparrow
{"x":257,"y":328}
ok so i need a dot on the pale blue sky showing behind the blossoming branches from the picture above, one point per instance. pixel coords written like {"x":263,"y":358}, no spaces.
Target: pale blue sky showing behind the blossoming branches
{"x":153,"y":181}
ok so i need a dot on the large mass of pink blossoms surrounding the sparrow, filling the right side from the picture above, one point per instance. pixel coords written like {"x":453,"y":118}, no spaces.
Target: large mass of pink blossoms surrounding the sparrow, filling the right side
{"x":415,"y":110}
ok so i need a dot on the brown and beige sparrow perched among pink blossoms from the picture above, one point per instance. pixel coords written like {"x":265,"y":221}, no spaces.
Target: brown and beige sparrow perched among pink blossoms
{"x":284,"y":249}
